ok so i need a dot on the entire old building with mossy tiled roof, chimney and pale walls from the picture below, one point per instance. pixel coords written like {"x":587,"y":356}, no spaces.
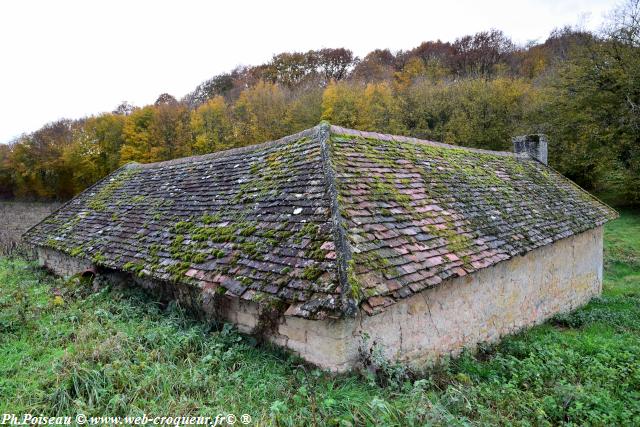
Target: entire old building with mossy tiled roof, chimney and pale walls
{"x":319,"y":238}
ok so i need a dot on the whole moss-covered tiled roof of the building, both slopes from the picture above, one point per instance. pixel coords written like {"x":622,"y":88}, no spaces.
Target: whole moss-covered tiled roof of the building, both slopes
{"x":324,"y":221}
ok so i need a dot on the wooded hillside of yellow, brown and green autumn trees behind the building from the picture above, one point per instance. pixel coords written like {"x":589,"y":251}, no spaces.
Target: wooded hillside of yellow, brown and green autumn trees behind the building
{"x":580,"y":88}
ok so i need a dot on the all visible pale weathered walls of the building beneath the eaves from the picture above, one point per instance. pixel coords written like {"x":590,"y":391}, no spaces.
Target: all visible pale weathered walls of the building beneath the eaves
{"x":441,"y":321}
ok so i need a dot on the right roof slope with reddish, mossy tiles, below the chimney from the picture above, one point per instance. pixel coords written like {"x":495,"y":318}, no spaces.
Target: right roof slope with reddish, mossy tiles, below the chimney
{"x":459,"y":210}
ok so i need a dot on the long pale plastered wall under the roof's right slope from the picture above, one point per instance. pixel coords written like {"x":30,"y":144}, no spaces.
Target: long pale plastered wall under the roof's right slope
{"x":493,"y":302}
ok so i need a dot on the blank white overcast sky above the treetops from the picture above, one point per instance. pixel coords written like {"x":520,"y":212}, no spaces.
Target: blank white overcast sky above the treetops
{"x":68,"y":59}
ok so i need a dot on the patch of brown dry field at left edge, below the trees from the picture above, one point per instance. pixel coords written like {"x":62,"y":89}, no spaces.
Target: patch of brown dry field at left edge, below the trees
{"x":17,"y":217}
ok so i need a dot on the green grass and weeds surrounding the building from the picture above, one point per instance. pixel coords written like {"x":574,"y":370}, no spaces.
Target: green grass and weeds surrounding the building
{"x":64,"y":351}
